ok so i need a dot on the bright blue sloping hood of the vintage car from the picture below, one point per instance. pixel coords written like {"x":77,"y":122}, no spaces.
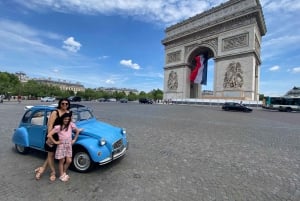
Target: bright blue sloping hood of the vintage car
{"x":98,"y":129}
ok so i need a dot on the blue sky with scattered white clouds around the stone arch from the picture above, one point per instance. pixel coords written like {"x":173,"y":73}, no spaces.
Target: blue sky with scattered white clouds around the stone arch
{"x":110,"y":43}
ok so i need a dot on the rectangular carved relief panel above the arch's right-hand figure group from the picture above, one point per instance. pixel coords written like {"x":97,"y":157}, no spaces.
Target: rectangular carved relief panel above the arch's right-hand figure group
{"x":234,"y":42}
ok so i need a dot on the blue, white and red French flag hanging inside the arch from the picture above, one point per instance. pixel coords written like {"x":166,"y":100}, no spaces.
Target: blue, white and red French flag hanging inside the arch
{"x":199,"y":74}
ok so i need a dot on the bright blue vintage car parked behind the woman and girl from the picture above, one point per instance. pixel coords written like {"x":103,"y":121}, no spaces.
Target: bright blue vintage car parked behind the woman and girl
{"x":99,"y":142}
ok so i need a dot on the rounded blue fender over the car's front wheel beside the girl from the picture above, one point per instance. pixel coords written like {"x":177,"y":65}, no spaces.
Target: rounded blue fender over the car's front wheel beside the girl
{"x":96,"y":152}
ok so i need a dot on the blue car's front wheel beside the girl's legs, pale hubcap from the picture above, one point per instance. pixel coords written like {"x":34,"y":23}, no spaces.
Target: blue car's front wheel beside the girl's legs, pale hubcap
{"x":82,"y":161}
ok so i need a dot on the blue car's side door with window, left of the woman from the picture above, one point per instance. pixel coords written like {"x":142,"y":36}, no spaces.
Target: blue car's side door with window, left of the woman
{"x":37,"y":128}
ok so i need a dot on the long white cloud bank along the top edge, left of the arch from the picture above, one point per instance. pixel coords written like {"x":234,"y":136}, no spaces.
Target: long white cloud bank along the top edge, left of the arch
{"x":165,"y":11}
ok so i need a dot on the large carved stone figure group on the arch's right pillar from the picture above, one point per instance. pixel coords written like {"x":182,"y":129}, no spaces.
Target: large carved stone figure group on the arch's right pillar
{"x":234,"y":76}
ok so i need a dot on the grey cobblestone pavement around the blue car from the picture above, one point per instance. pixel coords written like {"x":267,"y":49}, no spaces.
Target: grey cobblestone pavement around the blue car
{"x":176,"y":153}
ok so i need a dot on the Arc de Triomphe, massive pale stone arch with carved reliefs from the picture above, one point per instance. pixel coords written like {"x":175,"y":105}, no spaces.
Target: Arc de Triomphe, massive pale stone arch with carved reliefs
{"x":230,"y":34}
